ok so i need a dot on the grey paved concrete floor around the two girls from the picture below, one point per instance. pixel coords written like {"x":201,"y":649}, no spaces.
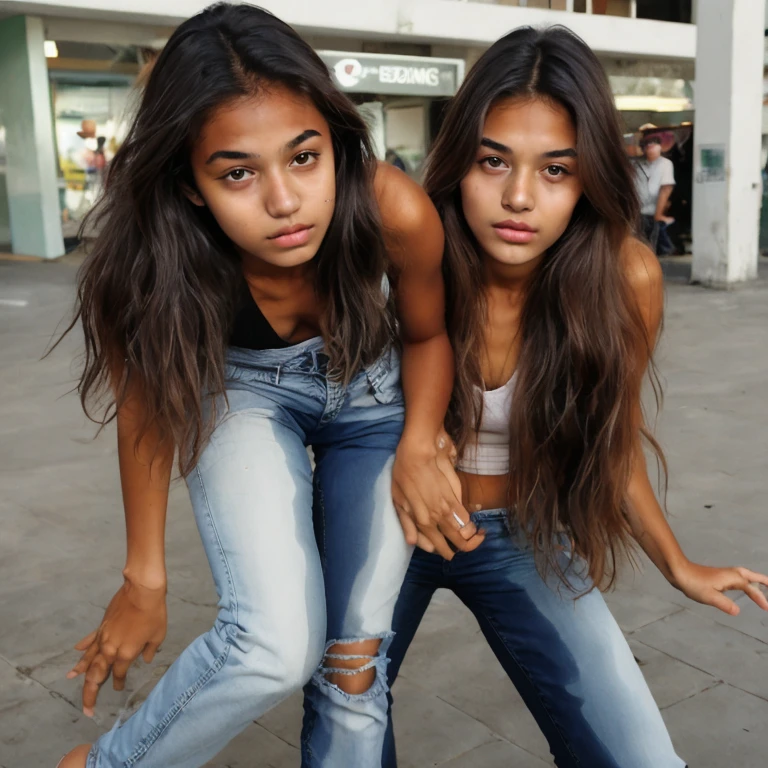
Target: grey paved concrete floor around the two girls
{"x":62,"y":546}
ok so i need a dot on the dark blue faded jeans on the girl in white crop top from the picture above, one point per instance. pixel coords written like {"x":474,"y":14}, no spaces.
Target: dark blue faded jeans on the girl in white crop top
{"x":567,"y":657}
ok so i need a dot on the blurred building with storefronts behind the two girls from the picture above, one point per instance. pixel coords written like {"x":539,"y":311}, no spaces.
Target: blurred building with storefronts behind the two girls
{"x":68,"y":70}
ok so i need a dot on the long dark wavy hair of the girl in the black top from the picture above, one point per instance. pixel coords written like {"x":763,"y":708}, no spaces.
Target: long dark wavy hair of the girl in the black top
{"x":160,"y":284}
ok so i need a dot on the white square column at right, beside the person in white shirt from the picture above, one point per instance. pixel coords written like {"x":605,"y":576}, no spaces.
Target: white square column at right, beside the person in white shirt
{"x":729,"y":98}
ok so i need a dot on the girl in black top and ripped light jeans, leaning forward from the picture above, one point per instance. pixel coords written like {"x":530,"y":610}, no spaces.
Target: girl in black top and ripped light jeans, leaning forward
{"x":243,"y":298}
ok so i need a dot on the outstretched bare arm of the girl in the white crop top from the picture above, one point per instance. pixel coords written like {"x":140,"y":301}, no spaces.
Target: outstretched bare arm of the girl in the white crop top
{"x":649,"y":524}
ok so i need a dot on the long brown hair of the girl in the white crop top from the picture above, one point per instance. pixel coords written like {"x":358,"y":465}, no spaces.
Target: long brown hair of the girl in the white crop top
{"x":584,"y":344}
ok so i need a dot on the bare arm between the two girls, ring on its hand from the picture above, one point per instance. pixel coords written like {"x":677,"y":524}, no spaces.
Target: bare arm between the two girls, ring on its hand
{"x":425,"y":499}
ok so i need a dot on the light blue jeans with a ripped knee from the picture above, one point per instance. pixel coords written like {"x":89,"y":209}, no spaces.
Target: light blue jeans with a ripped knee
{"x":302,"y":560}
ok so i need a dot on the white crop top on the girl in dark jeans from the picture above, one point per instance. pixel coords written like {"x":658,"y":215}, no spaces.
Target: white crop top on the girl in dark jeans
{"x":488,"y":453}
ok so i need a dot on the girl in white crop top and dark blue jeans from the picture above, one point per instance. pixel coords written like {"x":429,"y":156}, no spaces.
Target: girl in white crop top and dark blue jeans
{"x":554,"y":310}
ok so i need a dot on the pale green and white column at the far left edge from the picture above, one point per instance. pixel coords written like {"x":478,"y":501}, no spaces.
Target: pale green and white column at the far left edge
{"x":25,"y":111}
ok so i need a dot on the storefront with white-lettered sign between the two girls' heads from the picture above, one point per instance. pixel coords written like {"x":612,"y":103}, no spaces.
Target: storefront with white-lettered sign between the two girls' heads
{"x":402,"y":98}
